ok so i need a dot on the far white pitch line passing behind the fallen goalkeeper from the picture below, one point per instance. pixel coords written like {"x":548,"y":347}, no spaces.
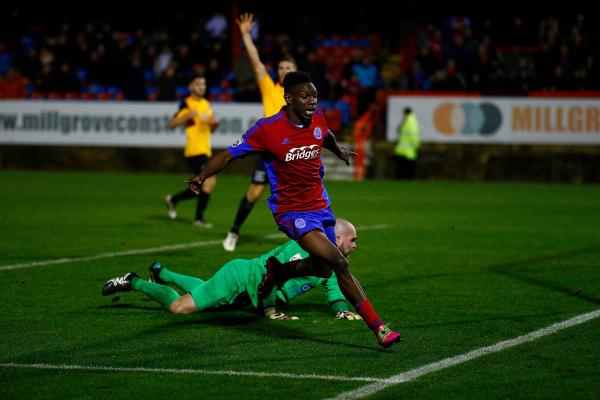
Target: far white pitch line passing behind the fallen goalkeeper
{"x":171,"y":247}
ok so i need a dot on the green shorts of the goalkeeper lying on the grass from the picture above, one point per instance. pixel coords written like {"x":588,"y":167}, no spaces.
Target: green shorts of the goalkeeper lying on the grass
{"x":231,"y":280}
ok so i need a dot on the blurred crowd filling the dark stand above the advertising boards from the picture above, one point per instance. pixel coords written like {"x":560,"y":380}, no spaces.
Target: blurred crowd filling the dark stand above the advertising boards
{"x":101,"y":60}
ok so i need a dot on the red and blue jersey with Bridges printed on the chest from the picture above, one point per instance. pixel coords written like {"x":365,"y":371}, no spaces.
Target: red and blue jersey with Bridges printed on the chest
{"x":292,"y":157}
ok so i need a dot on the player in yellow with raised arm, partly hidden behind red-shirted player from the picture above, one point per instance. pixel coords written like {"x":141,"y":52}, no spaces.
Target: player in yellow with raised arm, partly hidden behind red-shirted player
{"x":272,"y":99}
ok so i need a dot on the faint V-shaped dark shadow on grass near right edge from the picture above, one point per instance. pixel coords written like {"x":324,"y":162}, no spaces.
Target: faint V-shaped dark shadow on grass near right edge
{"x":516,"y":270}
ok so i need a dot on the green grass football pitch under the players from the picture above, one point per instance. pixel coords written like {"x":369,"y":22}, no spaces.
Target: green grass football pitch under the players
{"x":455,"y":267}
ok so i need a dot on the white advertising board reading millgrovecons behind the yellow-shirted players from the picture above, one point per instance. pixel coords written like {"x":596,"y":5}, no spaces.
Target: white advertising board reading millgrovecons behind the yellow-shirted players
{"x":114,"y":124}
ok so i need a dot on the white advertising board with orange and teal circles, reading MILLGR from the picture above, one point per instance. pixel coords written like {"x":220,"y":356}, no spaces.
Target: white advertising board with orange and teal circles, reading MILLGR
{"x":500,"y":120}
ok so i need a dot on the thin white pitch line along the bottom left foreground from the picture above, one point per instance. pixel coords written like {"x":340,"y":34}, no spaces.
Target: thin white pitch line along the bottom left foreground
{"x":191,"y":372}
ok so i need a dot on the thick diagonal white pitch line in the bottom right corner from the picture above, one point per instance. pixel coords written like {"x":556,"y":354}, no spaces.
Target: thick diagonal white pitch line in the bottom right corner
{"x":452,"y":361}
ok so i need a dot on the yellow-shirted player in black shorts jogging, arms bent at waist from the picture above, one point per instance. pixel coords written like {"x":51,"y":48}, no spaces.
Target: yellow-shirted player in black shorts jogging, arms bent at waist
{"x":195,"y":115}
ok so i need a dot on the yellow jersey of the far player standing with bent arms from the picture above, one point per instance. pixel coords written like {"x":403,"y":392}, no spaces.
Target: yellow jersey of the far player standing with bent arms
{"x":198,"y":134}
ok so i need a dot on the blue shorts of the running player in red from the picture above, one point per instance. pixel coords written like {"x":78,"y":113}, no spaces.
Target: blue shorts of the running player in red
{"x":296,"y":224}
